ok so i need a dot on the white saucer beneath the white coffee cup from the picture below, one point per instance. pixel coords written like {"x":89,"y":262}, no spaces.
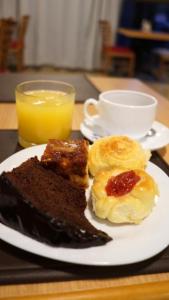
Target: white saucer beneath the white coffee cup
{"x":157,"y":141}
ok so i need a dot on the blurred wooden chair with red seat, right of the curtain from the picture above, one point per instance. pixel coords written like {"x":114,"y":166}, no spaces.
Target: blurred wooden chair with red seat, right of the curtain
{"x":110,"y":53}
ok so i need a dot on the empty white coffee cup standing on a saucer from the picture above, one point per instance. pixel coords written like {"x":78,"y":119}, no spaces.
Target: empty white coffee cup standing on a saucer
{"x":122,"y":112}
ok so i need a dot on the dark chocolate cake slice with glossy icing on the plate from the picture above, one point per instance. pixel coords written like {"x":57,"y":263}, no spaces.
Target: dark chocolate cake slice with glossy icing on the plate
{"x":47,"y":207}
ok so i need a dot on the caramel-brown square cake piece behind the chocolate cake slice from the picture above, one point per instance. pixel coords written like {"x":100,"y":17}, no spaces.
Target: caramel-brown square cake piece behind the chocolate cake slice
{"x":68,"y":159}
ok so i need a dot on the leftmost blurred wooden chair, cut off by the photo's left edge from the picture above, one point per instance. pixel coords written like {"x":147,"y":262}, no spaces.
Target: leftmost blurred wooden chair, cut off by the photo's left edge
{"x":6,"y":30}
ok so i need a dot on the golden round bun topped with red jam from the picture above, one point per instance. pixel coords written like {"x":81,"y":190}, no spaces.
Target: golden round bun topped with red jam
{"x":114,"y":198}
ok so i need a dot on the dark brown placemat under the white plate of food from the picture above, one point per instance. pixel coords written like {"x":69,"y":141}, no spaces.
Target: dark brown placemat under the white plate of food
{"x":18,"y":266}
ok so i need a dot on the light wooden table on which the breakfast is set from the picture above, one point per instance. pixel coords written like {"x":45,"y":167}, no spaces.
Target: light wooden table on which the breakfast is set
{"x":155,"y":286}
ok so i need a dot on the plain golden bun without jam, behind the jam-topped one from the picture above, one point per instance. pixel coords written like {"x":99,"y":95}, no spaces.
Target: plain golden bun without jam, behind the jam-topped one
{"x":115,"y":152}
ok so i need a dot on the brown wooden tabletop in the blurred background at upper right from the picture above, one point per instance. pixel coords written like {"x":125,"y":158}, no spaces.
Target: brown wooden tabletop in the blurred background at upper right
{"x":140,"y":34}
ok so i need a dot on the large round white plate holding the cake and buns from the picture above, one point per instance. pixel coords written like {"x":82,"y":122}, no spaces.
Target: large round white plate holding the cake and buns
{"x":131,"y":243}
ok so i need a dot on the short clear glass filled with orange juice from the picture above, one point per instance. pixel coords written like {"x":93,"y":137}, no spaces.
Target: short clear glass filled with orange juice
{"x":44,"y":111}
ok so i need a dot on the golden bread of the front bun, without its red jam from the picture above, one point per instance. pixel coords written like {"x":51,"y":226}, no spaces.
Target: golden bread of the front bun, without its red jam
{"x":132,"y":207}
